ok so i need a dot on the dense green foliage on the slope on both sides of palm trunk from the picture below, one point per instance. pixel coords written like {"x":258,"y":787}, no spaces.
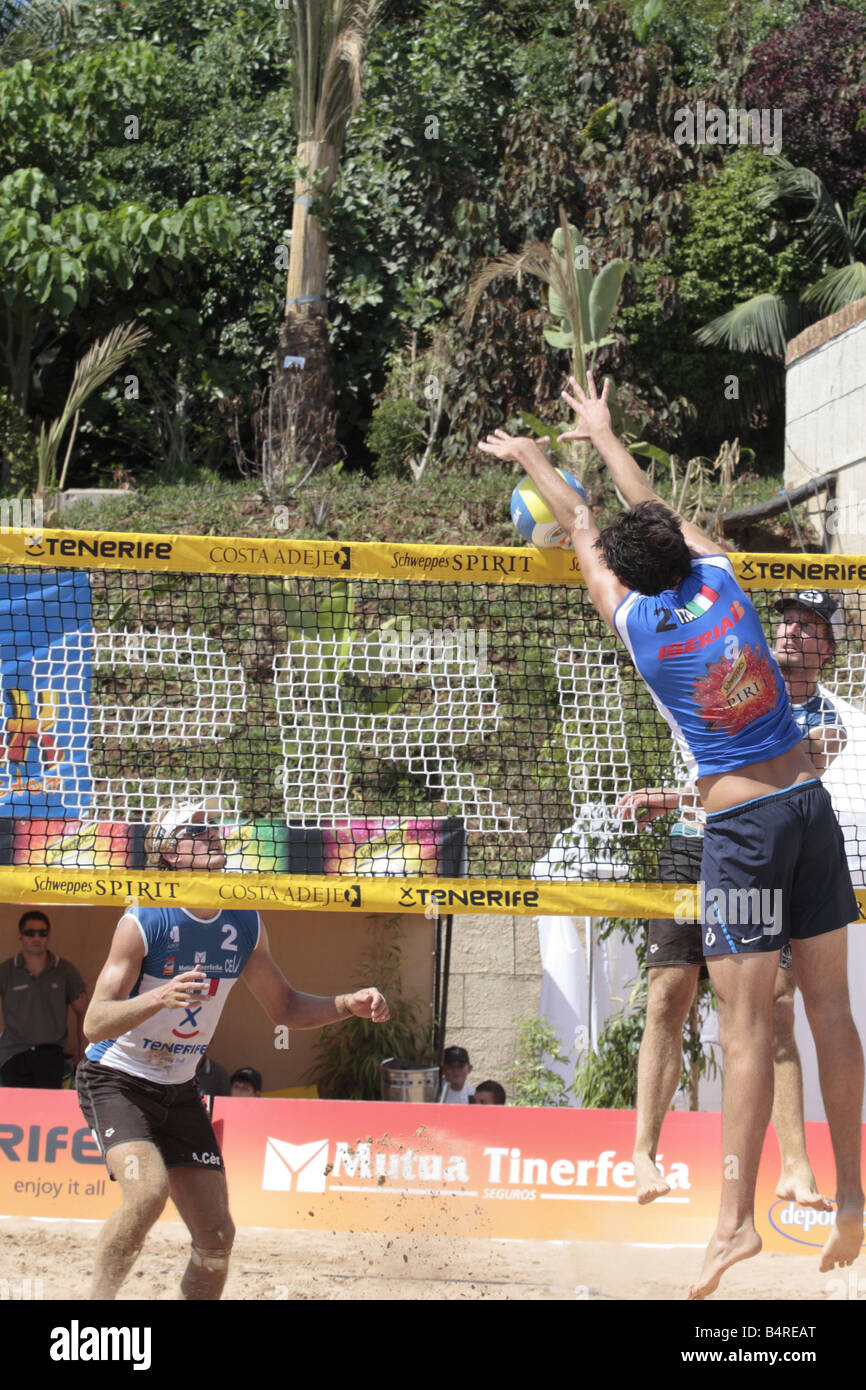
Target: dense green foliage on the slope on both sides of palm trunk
{"x":479,"y":122}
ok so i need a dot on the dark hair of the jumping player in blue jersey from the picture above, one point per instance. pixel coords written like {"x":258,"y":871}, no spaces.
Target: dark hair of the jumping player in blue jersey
{"x":646,"y":548}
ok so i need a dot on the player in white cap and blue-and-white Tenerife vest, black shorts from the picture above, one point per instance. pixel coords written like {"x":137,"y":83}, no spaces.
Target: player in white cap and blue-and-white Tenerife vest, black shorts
{"x":154,"y":1013}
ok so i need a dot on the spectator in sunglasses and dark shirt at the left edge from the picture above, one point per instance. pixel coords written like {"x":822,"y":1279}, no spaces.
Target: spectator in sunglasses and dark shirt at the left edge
{"x":38,"y":989}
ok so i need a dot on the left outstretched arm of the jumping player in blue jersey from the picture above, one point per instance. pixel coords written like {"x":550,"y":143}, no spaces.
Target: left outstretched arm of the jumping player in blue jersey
{"x":572,"y":514}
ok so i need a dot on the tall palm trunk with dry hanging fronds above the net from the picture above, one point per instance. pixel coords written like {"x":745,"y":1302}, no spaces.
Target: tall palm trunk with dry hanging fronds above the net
{"x":329,"y":41}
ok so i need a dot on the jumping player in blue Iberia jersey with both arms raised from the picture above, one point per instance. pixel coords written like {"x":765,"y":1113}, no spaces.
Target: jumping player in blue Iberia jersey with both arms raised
{"x":696,"y":640}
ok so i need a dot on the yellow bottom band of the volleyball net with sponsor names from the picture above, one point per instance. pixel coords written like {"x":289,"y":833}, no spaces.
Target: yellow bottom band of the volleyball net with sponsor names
{"x":329,"y":893}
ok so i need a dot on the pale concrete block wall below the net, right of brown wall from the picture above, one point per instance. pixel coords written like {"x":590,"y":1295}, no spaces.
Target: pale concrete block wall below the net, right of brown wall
{"x":496,"y":975}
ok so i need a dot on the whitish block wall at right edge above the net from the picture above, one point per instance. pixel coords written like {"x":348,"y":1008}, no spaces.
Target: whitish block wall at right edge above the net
{"x":826,"y":422}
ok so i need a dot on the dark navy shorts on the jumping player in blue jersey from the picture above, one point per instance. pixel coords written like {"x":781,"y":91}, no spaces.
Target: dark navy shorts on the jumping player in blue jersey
{"x":775,"y":871}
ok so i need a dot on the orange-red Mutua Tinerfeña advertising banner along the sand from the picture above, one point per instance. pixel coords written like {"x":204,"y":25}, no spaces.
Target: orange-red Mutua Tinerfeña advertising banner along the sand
{"x":455,"y":1171}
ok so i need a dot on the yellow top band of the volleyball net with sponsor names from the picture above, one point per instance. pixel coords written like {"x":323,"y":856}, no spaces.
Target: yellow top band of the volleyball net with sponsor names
{"x":363,"y":561}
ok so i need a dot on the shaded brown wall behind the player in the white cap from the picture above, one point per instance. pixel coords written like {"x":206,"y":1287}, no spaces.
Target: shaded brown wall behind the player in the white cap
{"x":318,"y":953}
